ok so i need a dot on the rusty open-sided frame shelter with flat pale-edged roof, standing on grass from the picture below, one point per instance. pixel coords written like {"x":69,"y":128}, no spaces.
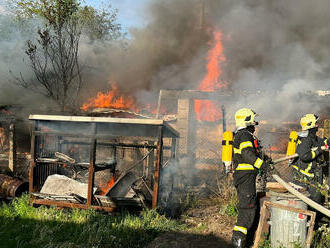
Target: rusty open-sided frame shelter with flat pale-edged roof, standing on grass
{"x":93,"y":132}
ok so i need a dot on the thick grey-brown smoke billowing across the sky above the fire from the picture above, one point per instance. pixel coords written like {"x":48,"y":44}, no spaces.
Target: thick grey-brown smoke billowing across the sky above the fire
{"x":275,"y":50}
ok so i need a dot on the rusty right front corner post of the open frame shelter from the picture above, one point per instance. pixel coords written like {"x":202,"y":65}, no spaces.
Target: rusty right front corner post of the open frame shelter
{"x":158,"y":167}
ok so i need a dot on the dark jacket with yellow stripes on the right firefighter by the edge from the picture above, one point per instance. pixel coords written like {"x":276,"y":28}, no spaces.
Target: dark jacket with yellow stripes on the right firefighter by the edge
{"x":310,"y":154}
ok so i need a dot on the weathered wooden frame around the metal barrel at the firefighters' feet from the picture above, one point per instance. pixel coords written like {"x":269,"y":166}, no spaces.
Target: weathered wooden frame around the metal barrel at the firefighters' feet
{"x":263,"y":227}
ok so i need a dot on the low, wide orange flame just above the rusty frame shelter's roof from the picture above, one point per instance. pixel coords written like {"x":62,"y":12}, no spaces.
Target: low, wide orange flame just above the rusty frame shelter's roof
{"x":113,"y":99}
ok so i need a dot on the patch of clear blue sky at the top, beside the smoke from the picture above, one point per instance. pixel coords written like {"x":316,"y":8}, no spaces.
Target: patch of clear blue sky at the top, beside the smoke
{"x":131,"y":12}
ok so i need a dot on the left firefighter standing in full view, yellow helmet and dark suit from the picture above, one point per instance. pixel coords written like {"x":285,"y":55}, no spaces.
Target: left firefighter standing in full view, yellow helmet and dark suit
{"x":248,"y":160}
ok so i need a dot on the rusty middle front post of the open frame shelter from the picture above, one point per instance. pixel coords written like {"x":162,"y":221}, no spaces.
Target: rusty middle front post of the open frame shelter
{"x":91,"y":170}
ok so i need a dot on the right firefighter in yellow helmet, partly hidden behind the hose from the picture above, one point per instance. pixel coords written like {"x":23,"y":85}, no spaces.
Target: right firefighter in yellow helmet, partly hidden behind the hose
{"x":308,"y":166}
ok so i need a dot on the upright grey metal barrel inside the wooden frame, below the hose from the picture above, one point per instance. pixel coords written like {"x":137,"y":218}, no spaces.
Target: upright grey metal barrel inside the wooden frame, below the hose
{"x":287,"y":228}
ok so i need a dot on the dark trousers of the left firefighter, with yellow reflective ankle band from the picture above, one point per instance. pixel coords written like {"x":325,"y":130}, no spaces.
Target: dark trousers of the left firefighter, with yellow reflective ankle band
{"x":245,"y":184}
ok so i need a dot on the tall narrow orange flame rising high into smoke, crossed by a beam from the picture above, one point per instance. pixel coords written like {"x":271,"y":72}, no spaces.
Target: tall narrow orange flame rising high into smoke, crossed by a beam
{"x":207,"y":110}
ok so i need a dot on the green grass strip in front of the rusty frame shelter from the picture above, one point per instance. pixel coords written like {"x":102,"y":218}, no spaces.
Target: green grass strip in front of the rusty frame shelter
{"x":24,"y":226}
